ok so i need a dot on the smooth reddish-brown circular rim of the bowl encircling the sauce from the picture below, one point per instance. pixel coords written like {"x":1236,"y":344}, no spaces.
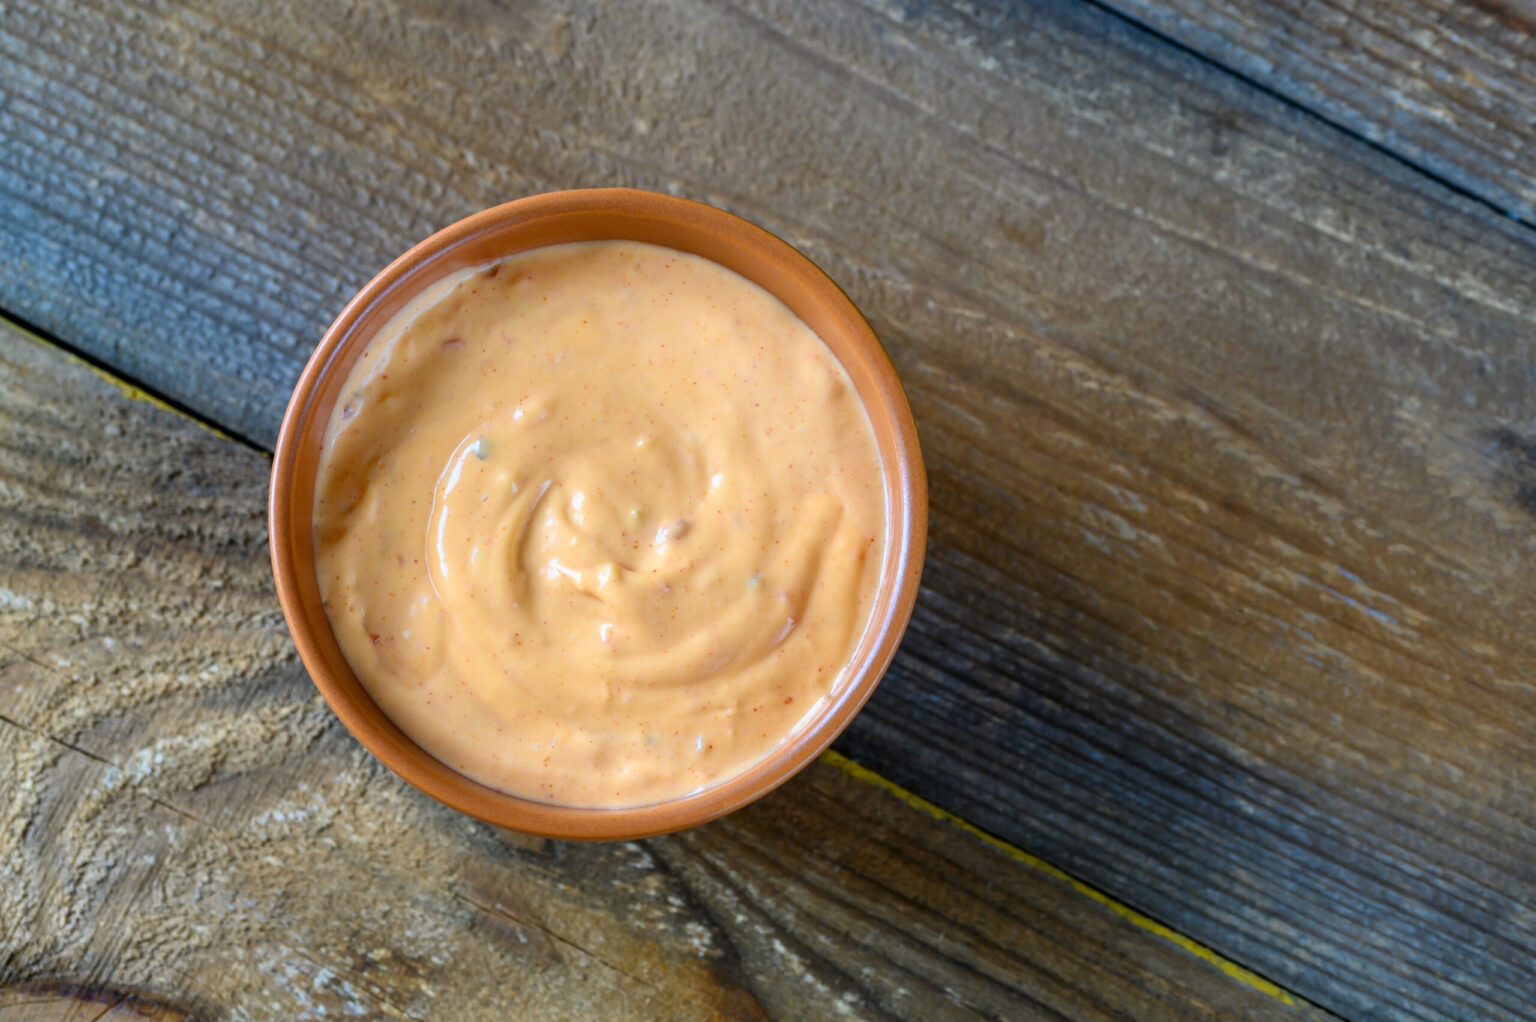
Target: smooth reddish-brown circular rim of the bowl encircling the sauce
{"x":907,"y":517}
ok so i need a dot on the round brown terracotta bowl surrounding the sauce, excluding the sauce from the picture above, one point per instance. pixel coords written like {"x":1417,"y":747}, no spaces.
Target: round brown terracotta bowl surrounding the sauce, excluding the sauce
{"x":592,"y":216}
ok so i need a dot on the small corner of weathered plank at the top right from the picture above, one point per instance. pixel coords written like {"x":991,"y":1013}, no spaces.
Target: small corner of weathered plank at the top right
{"x":1448,"y":85}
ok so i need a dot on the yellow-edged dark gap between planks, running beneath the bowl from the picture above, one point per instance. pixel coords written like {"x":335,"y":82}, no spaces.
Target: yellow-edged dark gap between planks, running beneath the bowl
{"x":134,"y":391}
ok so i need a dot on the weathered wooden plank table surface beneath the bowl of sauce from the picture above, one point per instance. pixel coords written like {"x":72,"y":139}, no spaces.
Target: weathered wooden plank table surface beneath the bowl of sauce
{"x":1220,"y":698}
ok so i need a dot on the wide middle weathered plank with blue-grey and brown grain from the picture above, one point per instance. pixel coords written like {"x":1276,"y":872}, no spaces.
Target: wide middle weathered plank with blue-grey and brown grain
{"x":1230,"y":419}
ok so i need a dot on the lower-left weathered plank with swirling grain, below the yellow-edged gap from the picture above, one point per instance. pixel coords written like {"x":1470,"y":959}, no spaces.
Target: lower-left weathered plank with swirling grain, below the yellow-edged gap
{"x":180,"y":814}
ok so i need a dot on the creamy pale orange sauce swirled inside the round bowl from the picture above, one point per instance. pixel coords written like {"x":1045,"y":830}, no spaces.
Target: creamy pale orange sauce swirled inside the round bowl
{"x":600,"y":525}
